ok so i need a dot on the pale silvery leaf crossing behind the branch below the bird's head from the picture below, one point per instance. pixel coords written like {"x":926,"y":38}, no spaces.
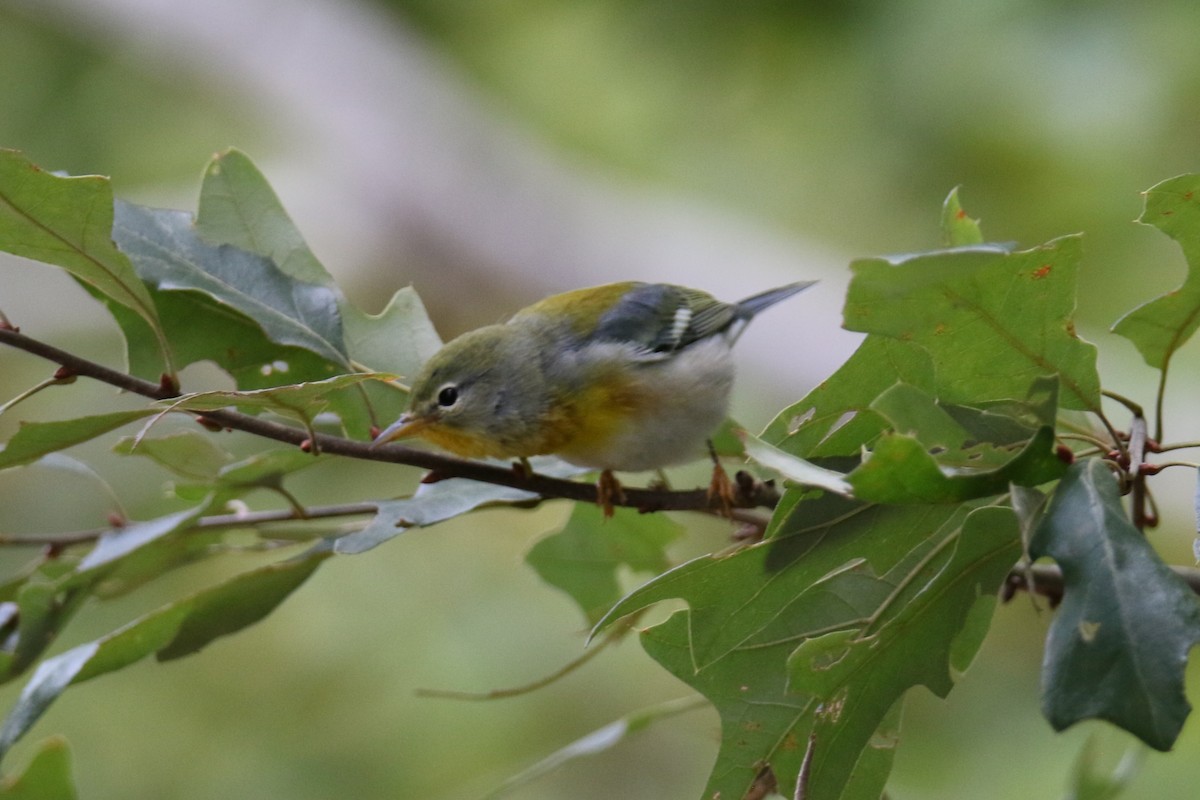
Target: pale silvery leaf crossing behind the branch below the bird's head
{"x":439,"y":502}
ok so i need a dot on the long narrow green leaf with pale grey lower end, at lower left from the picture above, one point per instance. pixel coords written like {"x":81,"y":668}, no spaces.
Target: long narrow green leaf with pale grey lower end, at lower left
{"x":173,"y":631}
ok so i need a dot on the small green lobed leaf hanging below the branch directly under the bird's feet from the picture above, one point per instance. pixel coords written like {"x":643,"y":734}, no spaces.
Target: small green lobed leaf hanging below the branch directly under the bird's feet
{"x":585,"y":557}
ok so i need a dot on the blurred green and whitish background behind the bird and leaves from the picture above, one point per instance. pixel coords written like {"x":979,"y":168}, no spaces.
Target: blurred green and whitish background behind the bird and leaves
{"x":491,"y":154}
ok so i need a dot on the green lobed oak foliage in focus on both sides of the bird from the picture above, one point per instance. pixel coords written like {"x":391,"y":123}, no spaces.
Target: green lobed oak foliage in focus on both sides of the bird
{"x":964,"y":437}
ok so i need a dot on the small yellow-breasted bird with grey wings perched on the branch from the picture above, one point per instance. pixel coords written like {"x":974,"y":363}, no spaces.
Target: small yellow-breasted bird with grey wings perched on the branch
{"x":625,"y":377}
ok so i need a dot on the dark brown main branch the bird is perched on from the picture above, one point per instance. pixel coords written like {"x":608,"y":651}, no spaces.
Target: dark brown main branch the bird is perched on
{"x":749,"y":494}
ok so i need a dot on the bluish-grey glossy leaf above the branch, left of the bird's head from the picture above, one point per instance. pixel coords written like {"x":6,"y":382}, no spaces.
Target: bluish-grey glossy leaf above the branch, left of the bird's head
{"x":170,"y":256}
